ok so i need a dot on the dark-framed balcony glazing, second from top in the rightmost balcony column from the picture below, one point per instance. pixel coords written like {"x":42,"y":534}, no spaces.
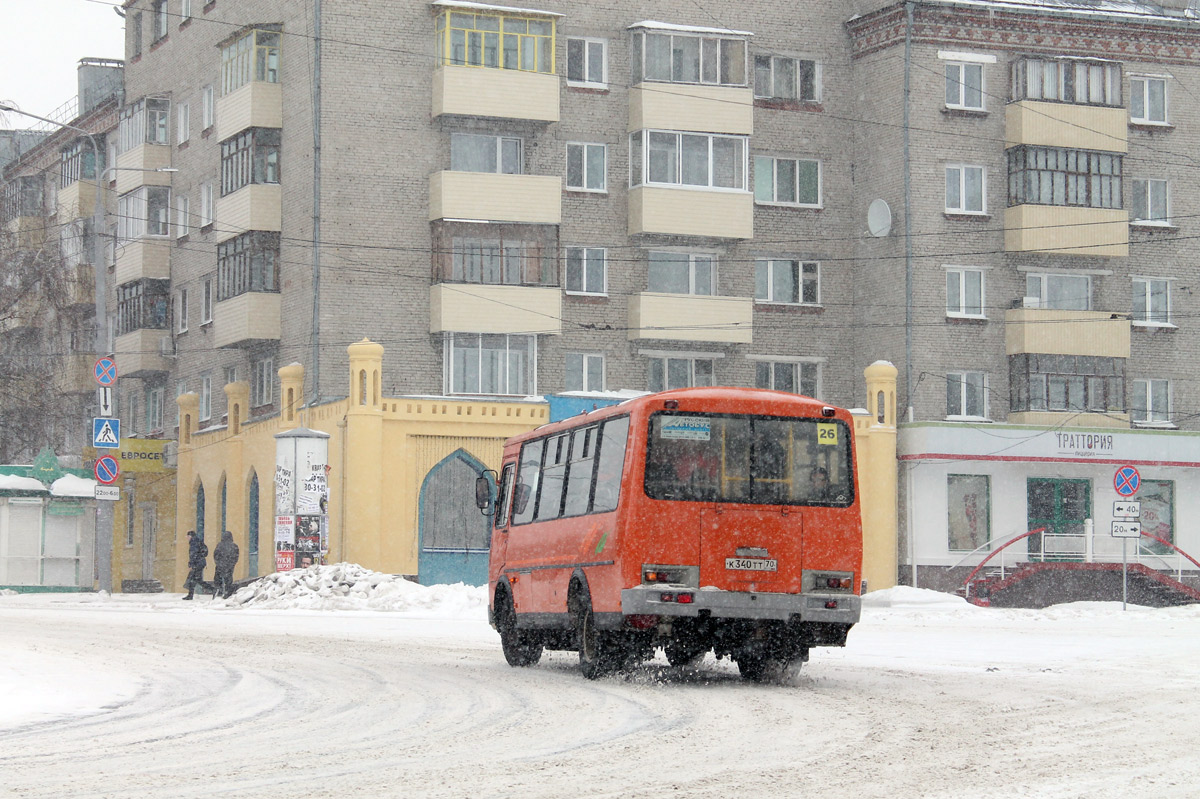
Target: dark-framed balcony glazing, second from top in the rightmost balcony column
{"x":1061,"y":177}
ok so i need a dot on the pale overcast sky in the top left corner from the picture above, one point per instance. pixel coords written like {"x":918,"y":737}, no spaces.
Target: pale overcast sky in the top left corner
{"x":41,"y":44}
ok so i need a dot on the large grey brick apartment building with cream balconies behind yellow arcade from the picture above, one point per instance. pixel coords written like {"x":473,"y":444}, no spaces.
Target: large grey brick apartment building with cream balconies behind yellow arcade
{"x":603,"y":196}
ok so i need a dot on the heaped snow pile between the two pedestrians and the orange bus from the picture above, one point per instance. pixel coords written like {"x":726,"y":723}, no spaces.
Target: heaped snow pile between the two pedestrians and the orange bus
{"x":350,"y":587}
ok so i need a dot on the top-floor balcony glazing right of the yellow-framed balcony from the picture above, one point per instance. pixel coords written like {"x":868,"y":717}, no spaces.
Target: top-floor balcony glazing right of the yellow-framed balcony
{"x":689,"y":58}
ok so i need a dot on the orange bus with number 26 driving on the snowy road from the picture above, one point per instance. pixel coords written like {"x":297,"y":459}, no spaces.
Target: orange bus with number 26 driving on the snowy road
{"x":695,"y":520}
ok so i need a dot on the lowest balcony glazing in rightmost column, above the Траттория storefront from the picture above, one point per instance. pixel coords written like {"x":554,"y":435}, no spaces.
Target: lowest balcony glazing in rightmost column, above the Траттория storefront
{"x":1067,"y":383}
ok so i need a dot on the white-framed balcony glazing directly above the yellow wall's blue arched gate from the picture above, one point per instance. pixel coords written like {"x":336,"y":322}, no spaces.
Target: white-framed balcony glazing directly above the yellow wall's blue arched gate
{"x":491,"y":364}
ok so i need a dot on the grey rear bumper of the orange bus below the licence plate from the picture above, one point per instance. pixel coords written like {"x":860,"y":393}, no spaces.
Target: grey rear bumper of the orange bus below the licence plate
{"x":826,"y":608}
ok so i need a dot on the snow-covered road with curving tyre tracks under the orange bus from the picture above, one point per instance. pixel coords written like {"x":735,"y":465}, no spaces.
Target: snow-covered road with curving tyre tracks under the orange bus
{"x":136,"y":696}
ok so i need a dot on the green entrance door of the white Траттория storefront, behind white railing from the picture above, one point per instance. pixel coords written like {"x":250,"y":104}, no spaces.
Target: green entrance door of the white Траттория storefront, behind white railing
{"x":1061,"y":507}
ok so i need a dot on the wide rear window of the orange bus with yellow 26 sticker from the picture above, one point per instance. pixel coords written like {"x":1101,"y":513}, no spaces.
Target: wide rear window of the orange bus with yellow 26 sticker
{"x":758,"y":460}
